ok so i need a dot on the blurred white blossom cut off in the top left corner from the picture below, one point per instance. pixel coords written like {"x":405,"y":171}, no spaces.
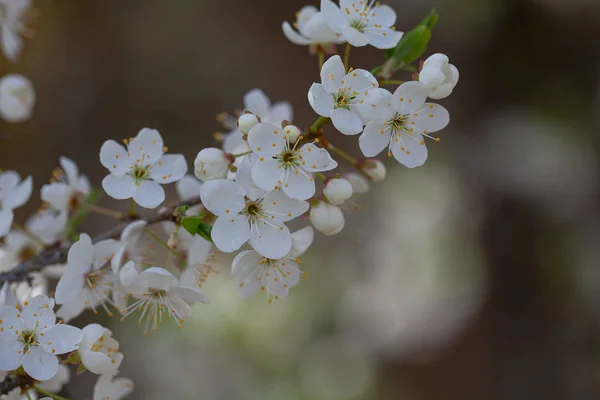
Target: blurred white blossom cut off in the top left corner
{"x":13,"y":22}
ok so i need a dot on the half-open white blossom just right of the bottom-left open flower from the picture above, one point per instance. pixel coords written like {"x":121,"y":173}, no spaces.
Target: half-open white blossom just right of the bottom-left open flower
{"x":99,"y":351}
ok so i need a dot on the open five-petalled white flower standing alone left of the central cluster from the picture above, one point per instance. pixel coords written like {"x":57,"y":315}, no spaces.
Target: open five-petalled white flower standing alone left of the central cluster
{"x":138,"y":171}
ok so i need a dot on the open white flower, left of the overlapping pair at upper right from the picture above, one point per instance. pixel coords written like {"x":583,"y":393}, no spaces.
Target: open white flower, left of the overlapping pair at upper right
{"x":343,"y":97}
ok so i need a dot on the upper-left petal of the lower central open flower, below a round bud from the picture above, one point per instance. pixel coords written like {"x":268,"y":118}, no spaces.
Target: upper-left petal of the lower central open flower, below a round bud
{"x":221,"y":195}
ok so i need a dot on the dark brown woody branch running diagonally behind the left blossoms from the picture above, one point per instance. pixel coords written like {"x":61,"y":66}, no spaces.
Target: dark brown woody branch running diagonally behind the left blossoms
{"x":58,"y":254}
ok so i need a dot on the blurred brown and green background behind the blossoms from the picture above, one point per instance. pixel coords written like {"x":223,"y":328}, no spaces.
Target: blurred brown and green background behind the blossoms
{"x":475,"y":276}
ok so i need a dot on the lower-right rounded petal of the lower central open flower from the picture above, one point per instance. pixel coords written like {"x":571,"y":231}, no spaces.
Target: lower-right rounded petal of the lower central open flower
{"x":272,"y":239}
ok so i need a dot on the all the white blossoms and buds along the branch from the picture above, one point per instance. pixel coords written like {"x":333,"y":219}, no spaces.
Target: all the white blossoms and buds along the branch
{"x":261,"y":195}
